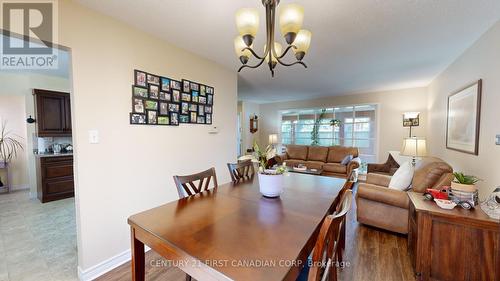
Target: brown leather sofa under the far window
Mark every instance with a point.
(326, 158)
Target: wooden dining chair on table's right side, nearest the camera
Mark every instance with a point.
(322, 265)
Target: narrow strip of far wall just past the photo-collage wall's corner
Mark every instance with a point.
(248, 109)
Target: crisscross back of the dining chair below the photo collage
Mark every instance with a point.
(196, 183)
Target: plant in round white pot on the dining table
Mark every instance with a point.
(270, 180)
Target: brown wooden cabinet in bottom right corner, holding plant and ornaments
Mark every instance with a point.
(452, 244)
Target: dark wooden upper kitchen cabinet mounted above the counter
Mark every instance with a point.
(53, 111)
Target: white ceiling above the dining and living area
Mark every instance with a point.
(357, 45)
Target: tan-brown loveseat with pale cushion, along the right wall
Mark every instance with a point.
(385, 208)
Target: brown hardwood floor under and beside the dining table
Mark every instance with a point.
(371, 254)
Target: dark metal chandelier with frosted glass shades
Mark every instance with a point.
(291, 17)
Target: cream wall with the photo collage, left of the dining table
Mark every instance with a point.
(131, 168)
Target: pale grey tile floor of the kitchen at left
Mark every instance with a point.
(37, 241)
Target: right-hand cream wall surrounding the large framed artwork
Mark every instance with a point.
(480, 61)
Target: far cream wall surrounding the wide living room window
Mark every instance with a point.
(392, 105)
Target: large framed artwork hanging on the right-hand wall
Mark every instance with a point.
(463, 119)
